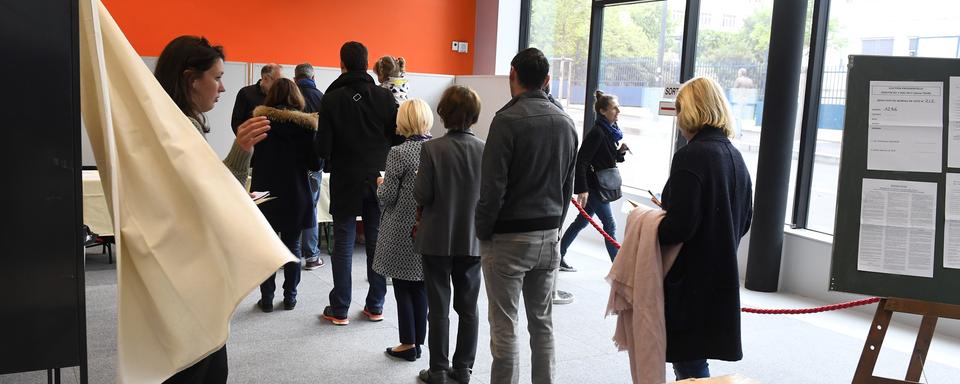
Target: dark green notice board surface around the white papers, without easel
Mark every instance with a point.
(944, 286)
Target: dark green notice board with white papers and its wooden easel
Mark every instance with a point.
(898, 200)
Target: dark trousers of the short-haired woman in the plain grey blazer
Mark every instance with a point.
(438, 273)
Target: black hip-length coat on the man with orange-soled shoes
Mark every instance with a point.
(358, 121)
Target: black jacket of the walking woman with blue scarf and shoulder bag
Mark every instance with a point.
(597, 152)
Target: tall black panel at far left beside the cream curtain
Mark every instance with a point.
(42, 316)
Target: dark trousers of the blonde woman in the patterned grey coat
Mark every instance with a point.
(411, 311)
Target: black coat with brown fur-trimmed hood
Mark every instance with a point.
(280, 164)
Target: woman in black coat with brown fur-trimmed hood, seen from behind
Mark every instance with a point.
(280, 165)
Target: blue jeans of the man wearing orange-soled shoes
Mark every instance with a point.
(344, 235)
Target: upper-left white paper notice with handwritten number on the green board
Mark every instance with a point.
(906, 126)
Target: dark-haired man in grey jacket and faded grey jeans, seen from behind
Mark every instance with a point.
(526, 183)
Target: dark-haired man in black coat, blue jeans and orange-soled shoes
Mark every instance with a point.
(357, 127)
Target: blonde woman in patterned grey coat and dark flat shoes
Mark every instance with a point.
(395, 256)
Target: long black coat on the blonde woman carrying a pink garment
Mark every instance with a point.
(708, 200)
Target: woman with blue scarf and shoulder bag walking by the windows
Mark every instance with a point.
(600, 150)
